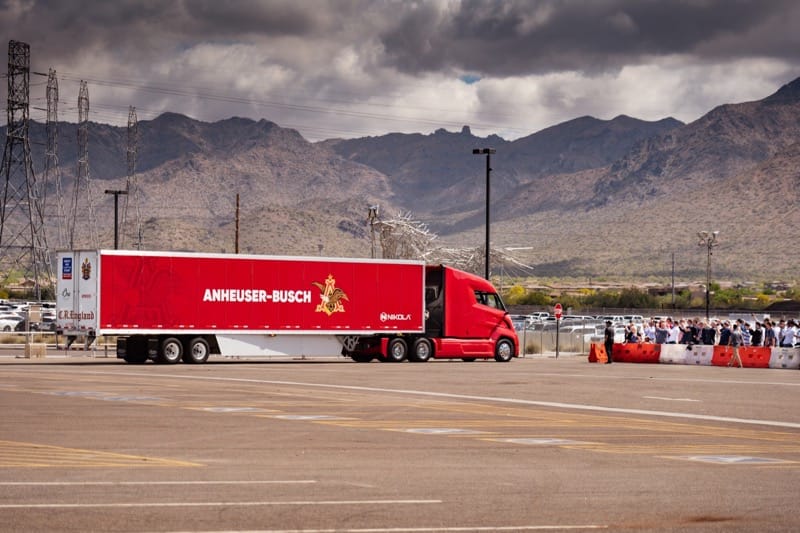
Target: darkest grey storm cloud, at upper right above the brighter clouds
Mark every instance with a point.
(508, 38)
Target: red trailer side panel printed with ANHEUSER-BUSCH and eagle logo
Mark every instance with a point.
(217, 292)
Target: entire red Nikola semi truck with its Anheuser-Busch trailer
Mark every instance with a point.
(175, 306)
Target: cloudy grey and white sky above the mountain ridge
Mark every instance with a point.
(352, 68)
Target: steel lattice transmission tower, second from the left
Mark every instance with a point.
(52, 172)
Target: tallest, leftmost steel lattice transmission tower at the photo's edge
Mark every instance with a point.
(23, 246)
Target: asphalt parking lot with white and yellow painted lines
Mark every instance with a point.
(93, 444)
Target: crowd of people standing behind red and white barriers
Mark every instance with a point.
(769, 333)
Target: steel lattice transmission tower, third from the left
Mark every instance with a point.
(83, 182)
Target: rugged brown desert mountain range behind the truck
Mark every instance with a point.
(588, 198)
